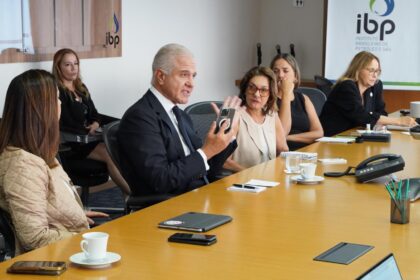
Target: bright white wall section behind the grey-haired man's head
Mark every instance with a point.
(219, 33)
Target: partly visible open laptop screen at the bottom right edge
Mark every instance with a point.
(386, 269)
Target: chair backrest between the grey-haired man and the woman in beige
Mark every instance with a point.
(202, 115)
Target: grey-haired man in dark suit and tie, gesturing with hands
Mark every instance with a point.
(159, 151)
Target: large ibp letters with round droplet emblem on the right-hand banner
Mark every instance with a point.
(381, 8)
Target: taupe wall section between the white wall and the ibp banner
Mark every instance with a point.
(283, 24)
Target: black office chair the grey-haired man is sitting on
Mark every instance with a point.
(133, 203)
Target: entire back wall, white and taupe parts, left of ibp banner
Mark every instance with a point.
(221, 33)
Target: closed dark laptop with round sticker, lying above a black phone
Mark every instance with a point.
(197, 222)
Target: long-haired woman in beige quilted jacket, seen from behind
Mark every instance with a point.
(34, 189)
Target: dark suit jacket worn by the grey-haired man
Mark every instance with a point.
(151, 153)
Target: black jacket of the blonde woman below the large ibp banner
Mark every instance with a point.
(344, 109)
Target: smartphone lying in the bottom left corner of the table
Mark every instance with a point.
(38, 267)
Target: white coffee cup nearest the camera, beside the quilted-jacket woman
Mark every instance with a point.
(94, 245)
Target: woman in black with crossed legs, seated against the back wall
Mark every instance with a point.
(79, 114)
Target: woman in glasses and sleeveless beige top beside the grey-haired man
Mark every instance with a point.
(260, 136)
